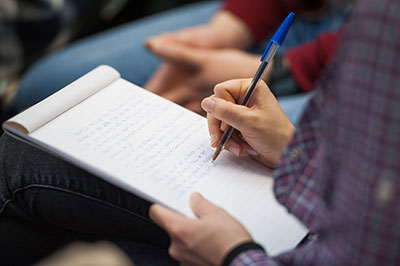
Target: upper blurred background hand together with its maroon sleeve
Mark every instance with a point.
(239, 24)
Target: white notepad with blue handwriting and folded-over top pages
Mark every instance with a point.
(154, 149)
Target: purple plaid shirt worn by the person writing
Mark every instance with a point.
(340, 174)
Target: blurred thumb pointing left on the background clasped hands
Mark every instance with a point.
(175, 51)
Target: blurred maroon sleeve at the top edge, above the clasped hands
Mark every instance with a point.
(264, 16)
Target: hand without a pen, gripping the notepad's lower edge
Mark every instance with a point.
(202, 241)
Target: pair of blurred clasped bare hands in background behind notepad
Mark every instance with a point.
(197, 58)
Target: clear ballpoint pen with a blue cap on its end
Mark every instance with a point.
(267, 57)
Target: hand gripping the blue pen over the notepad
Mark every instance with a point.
(264, 129)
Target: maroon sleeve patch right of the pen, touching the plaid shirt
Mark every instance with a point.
(306, 61)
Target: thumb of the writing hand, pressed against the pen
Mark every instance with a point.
(228, 112)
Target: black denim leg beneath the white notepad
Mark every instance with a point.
(46, 202)
